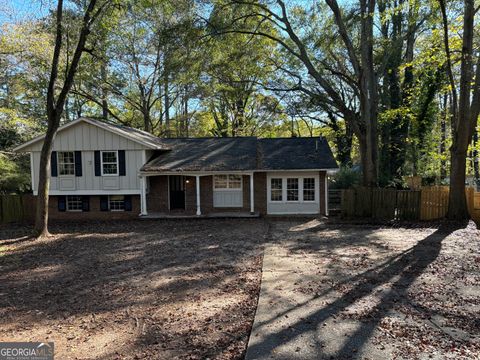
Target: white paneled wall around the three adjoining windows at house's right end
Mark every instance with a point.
(293, 207)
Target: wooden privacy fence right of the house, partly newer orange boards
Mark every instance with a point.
(428, 203)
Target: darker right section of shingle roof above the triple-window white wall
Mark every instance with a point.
(295, 153)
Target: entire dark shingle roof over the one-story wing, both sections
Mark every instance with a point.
(241, 154)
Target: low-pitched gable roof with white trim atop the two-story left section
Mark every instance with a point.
(139, 136)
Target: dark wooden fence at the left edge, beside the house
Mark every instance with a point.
(15, 208)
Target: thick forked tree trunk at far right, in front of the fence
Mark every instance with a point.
(465, 95)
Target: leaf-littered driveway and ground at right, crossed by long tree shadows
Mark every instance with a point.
(343, 291)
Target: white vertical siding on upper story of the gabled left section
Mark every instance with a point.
(88, 138)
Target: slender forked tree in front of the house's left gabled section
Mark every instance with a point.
(57, 92)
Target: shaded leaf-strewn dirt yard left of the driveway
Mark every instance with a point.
(133, 290)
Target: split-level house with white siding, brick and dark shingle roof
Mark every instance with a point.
(99, 169)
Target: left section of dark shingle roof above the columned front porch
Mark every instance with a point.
(206, 154)
